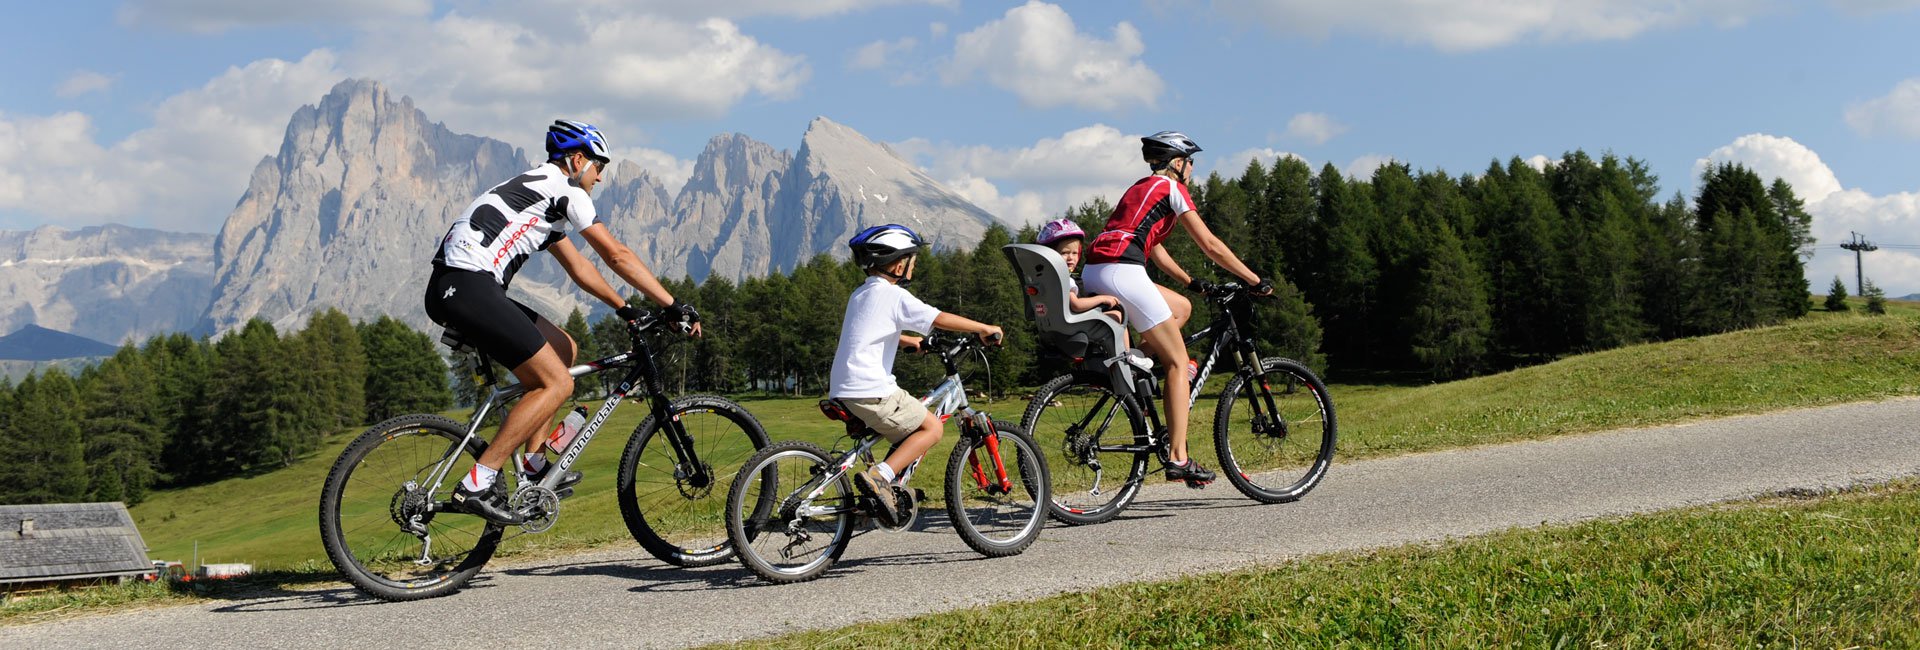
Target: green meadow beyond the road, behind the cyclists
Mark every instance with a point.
(272, 521)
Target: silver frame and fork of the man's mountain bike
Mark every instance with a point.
(640, 373)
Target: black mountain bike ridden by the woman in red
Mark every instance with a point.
(1274, 429)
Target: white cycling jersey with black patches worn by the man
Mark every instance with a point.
(516, 220)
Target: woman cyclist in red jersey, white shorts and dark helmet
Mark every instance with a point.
(1116, 266)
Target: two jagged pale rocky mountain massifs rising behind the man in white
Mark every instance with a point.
(350, 210)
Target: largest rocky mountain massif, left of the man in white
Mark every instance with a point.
(348, 212)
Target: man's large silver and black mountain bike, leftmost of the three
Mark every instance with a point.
(389, 528)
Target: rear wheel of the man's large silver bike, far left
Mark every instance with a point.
(377, 492)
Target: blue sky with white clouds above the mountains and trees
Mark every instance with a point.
(155, 112)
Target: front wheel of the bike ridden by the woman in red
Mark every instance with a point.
(1276, 430)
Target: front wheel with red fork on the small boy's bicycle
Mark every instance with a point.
(997, 492)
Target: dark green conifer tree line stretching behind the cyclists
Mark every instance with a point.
(1418, 275)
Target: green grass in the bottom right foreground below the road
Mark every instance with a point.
(1831, 572)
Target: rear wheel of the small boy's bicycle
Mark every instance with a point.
(777, 530)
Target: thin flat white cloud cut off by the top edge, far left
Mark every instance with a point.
(218, 16)
